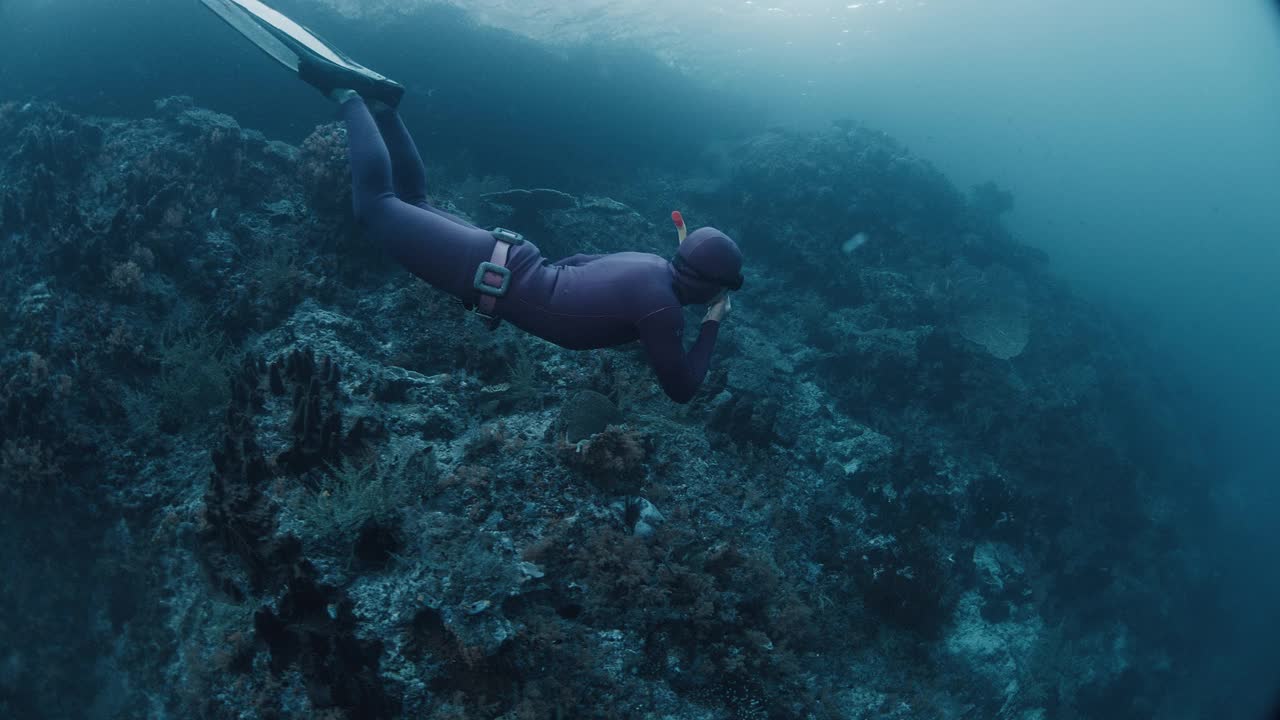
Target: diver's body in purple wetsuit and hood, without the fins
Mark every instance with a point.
(584, 302)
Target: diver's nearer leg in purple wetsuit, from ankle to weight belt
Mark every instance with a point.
(433, 248)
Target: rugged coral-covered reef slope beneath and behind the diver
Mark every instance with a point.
(252, 470)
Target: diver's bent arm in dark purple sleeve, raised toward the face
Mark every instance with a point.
(679, 373)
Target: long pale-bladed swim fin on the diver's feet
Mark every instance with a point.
(303, 52)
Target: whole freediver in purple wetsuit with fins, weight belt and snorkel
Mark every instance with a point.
(580, 303)
